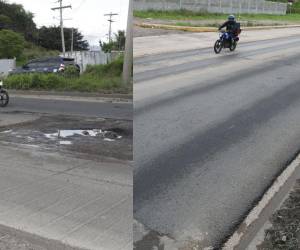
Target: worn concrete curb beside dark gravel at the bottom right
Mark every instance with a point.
(237, 238)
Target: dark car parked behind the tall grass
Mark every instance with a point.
(46, 65)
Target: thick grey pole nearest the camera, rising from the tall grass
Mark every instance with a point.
(128, 57)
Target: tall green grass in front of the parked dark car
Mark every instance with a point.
(99, 78)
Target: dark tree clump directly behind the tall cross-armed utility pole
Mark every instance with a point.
(50, 38)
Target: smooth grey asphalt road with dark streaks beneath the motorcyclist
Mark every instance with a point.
(211, 134)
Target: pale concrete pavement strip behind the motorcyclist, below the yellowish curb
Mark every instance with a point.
(191, 41)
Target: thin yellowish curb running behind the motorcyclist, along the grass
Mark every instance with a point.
(207, 29)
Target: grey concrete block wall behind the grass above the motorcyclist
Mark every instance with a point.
(215, 6)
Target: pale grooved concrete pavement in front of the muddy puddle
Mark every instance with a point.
(82, 203)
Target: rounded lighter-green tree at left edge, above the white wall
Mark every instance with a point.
(11, 44)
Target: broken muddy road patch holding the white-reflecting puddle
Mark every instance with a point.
(85, 137)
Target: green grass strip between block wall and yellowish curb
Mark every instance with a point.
(190, 15)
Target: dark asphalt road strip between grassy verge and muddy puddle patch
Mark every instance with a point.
(72, 107)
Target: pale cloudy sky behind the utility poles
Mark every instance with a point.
(86, 15)
